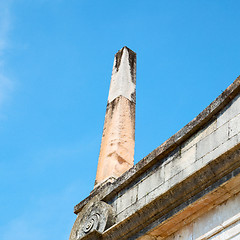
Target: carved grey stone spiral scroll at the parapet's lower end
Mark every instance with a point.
(95, 217)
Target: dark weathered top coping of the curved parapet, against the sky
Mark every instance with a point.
(107, 190)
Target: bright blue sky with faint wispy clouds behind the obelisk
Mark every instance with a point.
(56, 59)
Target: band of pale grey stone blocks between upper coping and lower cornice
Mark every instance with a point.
(220, 135)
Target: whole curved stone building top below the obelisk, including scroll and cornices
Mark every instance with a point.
(187, 188)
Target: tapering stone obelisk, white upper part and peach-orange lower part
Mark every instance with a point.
(118, 139)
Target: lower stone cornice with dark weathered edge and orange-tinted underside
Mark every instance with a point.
(211, 185)
